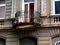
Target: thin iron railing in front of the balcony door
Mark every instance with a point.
(22, 17)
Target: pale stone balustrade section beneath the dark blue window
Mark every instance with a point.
(51, 22)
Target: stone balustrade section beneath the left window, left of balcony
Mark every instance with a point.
(6, 23)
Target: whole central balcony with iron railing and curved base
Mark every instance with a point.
(26, 22)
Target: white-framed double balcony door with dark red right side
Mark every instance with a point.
(29, 11)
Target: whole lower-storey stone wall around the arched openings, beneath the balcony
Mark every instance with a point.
(45, 36)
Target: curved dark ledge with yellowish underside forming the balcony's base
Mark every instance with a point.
(26, 26)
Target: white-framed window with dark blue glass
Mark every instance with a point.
(55, 6)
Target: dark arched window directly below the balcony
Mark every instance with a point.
(28, 41)
